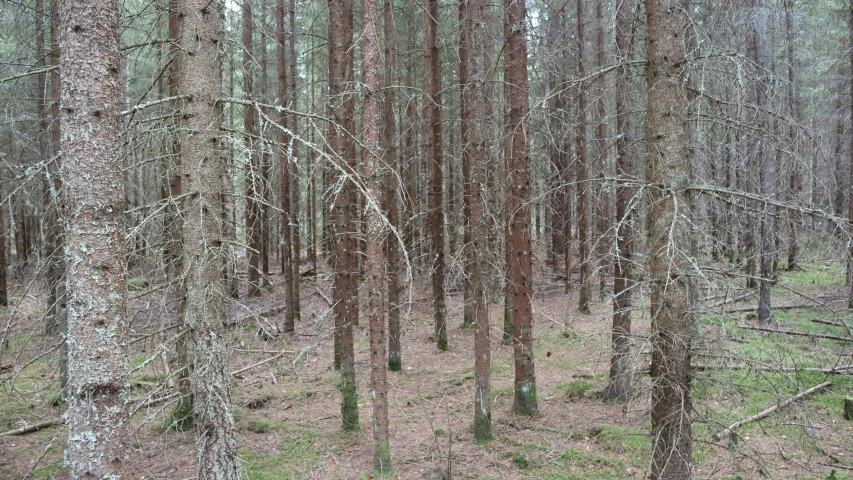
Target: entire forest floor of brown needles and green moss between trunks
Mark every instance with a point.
(288, 415)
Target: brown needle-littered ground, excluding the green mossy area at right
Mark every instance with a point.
(430, 408)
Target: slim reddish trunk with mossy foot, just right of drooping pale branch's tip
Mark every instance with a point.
(432, 88)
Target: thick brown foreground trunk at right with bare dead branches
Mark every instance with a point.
(669, 238)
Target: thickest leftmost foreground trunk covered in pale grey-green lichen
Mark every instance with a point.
(94, 201)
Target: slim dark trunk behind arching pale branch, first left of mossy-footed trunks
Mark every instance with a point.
(284, 160)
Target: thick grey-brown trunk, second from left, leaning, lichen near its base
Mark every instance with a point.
(203, 168)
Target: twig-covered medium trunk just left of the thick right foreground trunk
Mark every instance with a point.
(619, 385)
